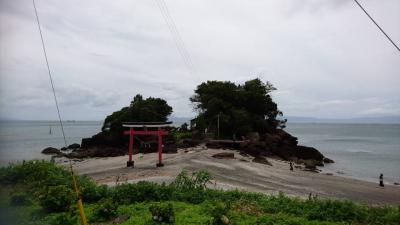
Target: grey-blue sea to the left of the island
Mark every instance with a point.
(24, 140)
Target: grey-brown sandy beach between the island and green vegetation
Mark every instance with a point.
(240, 173)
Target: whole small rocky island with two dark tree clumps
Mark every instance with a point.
(240, 117)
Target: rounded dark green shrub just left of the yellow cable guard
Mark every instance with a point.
(57, 199)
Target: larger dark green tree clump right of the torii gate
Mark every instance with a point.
(240, 108)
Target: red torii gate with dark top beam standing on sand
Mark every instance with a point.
(159, 133)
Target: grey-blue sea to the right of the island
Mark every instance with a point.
(361, 151)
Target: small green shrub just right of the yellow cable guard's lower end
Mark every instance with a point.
(105, 210)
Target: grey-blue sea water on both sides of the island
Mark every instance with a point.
(360, 151)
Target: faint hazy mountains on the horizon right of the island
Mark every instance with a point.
(374, 120)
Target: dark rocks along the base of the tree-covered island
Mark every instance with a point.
(279, 145)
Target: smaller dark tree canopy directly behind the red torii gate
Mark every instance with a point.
(140, 110)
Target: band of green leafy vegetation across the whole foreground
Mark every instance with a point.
(39, 192)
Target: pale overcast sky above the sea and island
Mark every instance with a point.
(325, 57)
